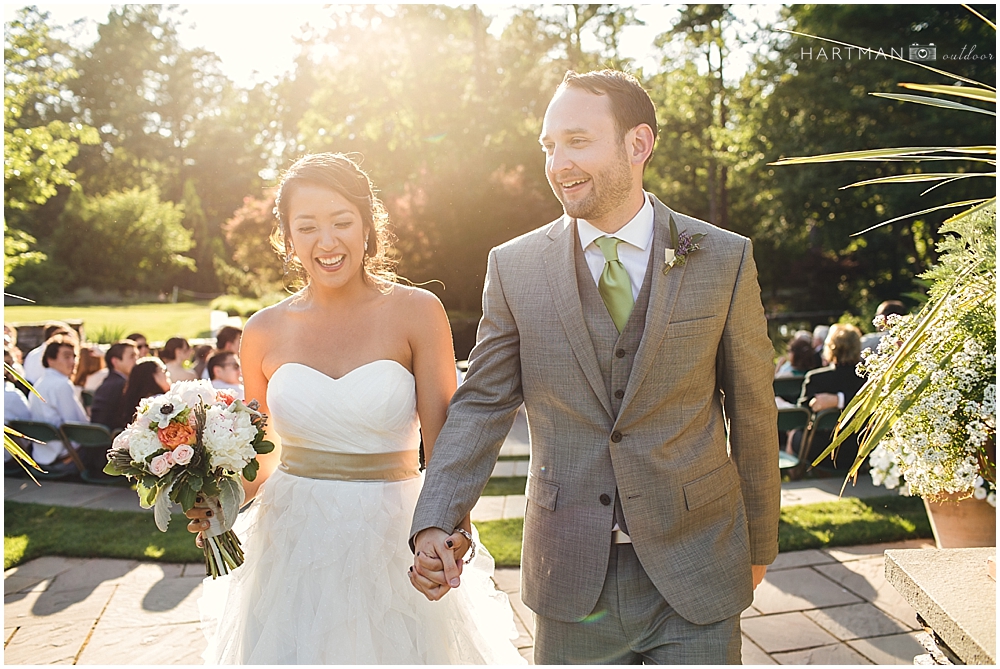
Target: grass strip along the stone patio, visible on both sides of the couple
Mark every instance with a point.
(32, 530)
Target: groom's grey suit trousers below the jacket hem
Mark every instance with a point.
(633, 624)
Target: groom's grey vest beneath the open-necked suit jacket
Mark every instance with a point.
(615, 352)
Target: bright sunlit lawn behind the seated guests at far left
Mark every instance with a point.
(157, 321)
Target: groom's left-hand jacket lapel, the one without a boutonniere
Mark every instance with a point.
(560, 269)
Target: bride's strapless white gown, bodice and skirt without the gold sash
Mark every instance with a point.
(325, 578)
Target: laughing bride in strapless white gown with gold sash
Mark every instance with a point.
(348, 369)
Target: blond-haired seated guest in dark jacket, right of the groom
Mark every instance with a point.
(834, 386)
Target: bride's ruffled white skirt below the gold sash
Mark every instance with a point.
(325, 582)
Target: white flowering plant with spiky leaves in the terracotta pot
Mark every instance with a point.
(927, 415)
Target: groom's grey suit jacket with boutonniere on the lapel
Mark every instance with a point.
(699, 512)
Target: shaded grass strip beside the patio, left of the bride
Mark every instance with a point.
(34, 530)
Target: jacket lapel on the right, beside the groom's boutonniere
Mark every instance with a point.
(663, 294)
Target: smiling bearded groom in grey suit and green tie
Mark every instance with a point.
(636, 339)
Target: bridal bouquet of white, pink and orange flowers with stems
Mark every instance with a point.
(193, 440)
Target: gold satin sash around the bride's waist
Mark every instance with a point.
(314, 464)
